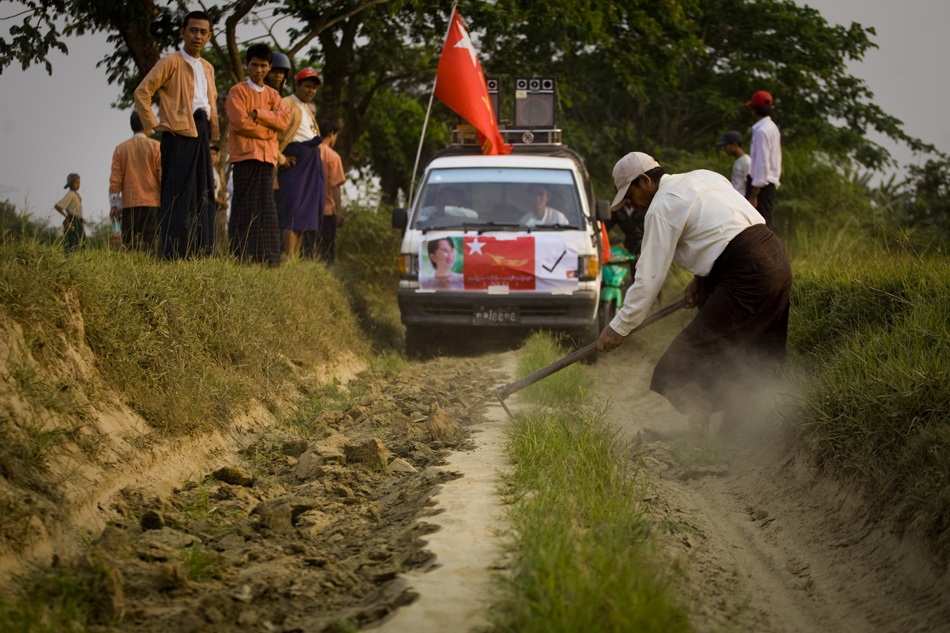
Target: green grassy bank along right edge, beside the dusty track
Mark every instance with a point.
(872, 347)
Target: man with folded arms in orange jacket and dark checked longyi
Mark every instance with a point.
(257, 114)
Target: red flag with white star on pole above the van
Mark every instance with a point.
(460, 84)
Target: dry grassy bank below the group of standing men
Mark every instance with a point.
(185, 343)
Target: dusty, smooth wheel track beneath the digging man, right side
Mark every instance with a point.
(765, 542)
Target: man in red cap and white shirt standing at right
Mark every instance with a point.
(766, 154)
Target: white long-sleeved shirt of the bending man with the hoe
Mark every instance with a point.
(691, 220)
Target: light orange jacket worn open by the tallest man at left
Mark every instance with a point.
(173, 79)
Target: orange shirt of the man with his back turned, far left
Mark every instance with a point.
(137, 172)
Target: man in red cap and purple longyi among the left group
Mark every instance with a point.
(301, 178)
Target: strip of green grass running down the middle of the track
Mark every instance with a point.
(583, 553)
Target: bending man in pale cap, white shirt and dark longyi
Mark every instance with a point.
(741, 285)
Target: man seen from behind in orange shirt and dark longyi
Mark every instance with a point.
(135, 187)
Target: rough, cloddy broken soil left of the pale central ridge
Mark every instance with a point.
(277, 530)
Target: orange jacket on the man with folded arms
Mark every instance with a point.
(250, 139)
